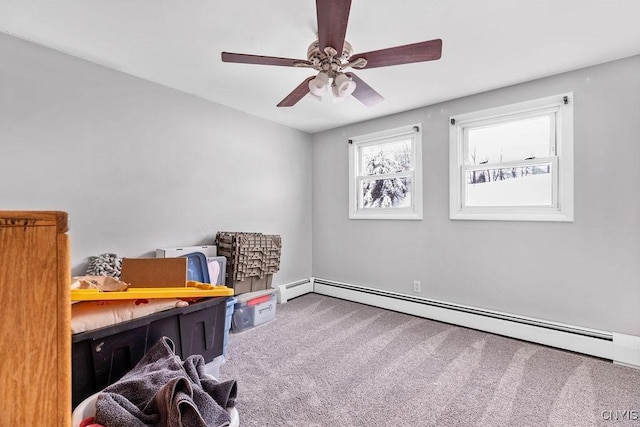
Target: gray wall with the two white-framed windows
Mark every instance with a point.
(584, 273)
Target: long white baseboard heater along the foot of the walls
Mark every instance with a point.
(620, 348)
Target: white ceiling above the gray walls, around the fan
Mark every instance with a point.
(486, 44)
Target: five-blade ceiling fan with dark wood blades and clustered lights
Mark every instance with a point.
(331, 55)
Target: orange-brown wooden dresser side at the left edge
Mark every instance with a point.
(35, 332)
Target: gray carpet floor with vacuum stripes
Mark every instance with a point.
(329, 362)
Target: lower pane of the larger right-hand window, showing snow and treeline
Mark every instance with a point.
(515, 186)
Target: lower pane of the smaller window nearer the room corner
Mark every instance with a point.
(386, 193)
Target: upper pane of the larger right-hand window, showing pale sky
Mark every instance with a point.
(515, 140)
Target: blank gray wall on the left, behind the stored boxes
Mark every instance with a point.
(139, 166)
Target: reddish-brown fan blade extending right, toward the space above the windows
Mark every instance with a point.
(416, 52)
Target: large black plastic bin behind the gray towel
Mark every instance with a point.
(102, 356)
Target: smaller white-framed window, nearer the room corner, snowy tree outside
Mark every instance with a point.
(385, 175)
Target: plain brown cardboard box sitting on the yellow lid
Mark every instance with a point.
(154, 272)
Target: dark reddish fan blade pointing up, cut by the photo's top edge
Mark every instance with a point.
(333, 16)
